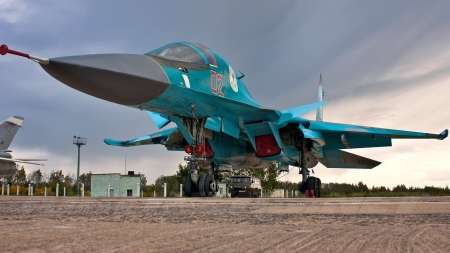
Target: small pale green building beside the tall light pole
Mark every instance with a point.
(116, 184)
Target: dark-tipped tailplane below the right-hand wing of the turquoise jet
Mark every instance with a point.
(342, 159)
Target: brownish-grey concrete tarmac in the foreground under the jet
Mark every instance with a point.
(75, 224)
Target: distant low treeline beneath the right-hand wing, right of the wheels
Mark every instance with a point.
(361, 190)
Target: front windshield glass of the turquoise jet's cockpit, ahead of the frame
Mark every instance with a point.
(180, 52)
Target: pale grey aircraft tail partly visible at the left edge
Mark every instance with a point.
(8, 129)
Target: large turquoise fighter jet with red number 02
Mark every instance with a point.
(218, 123)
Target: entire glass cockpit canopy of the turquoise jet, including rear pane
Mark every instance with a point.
(186, 52)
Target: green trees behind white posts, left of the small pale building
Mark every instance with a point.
(39, 180)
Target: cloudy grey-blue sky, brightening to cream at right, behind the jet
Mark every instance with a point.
(384, 64)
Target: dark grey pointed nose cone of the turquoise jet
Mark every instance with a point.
(125, 79)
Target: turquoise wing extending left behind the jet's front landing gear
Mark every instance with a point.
(156, 138)
